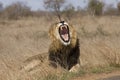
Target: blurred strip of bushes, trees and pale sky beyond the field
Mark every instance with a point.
(14, 9)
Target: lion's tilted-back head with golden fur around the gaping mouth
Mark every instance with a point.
(63, 33)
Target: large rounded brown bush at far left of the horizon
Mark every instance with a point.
(16, 11)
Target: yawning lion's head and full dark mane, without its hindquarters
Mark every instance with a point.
(64, 49)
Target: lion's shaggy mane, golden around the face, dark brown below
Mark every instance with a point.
(63, 54)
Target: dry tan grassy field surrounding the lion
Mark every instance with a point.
(22, 40)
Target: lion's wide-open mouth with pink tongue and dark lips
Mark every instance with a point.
(64, 33)
